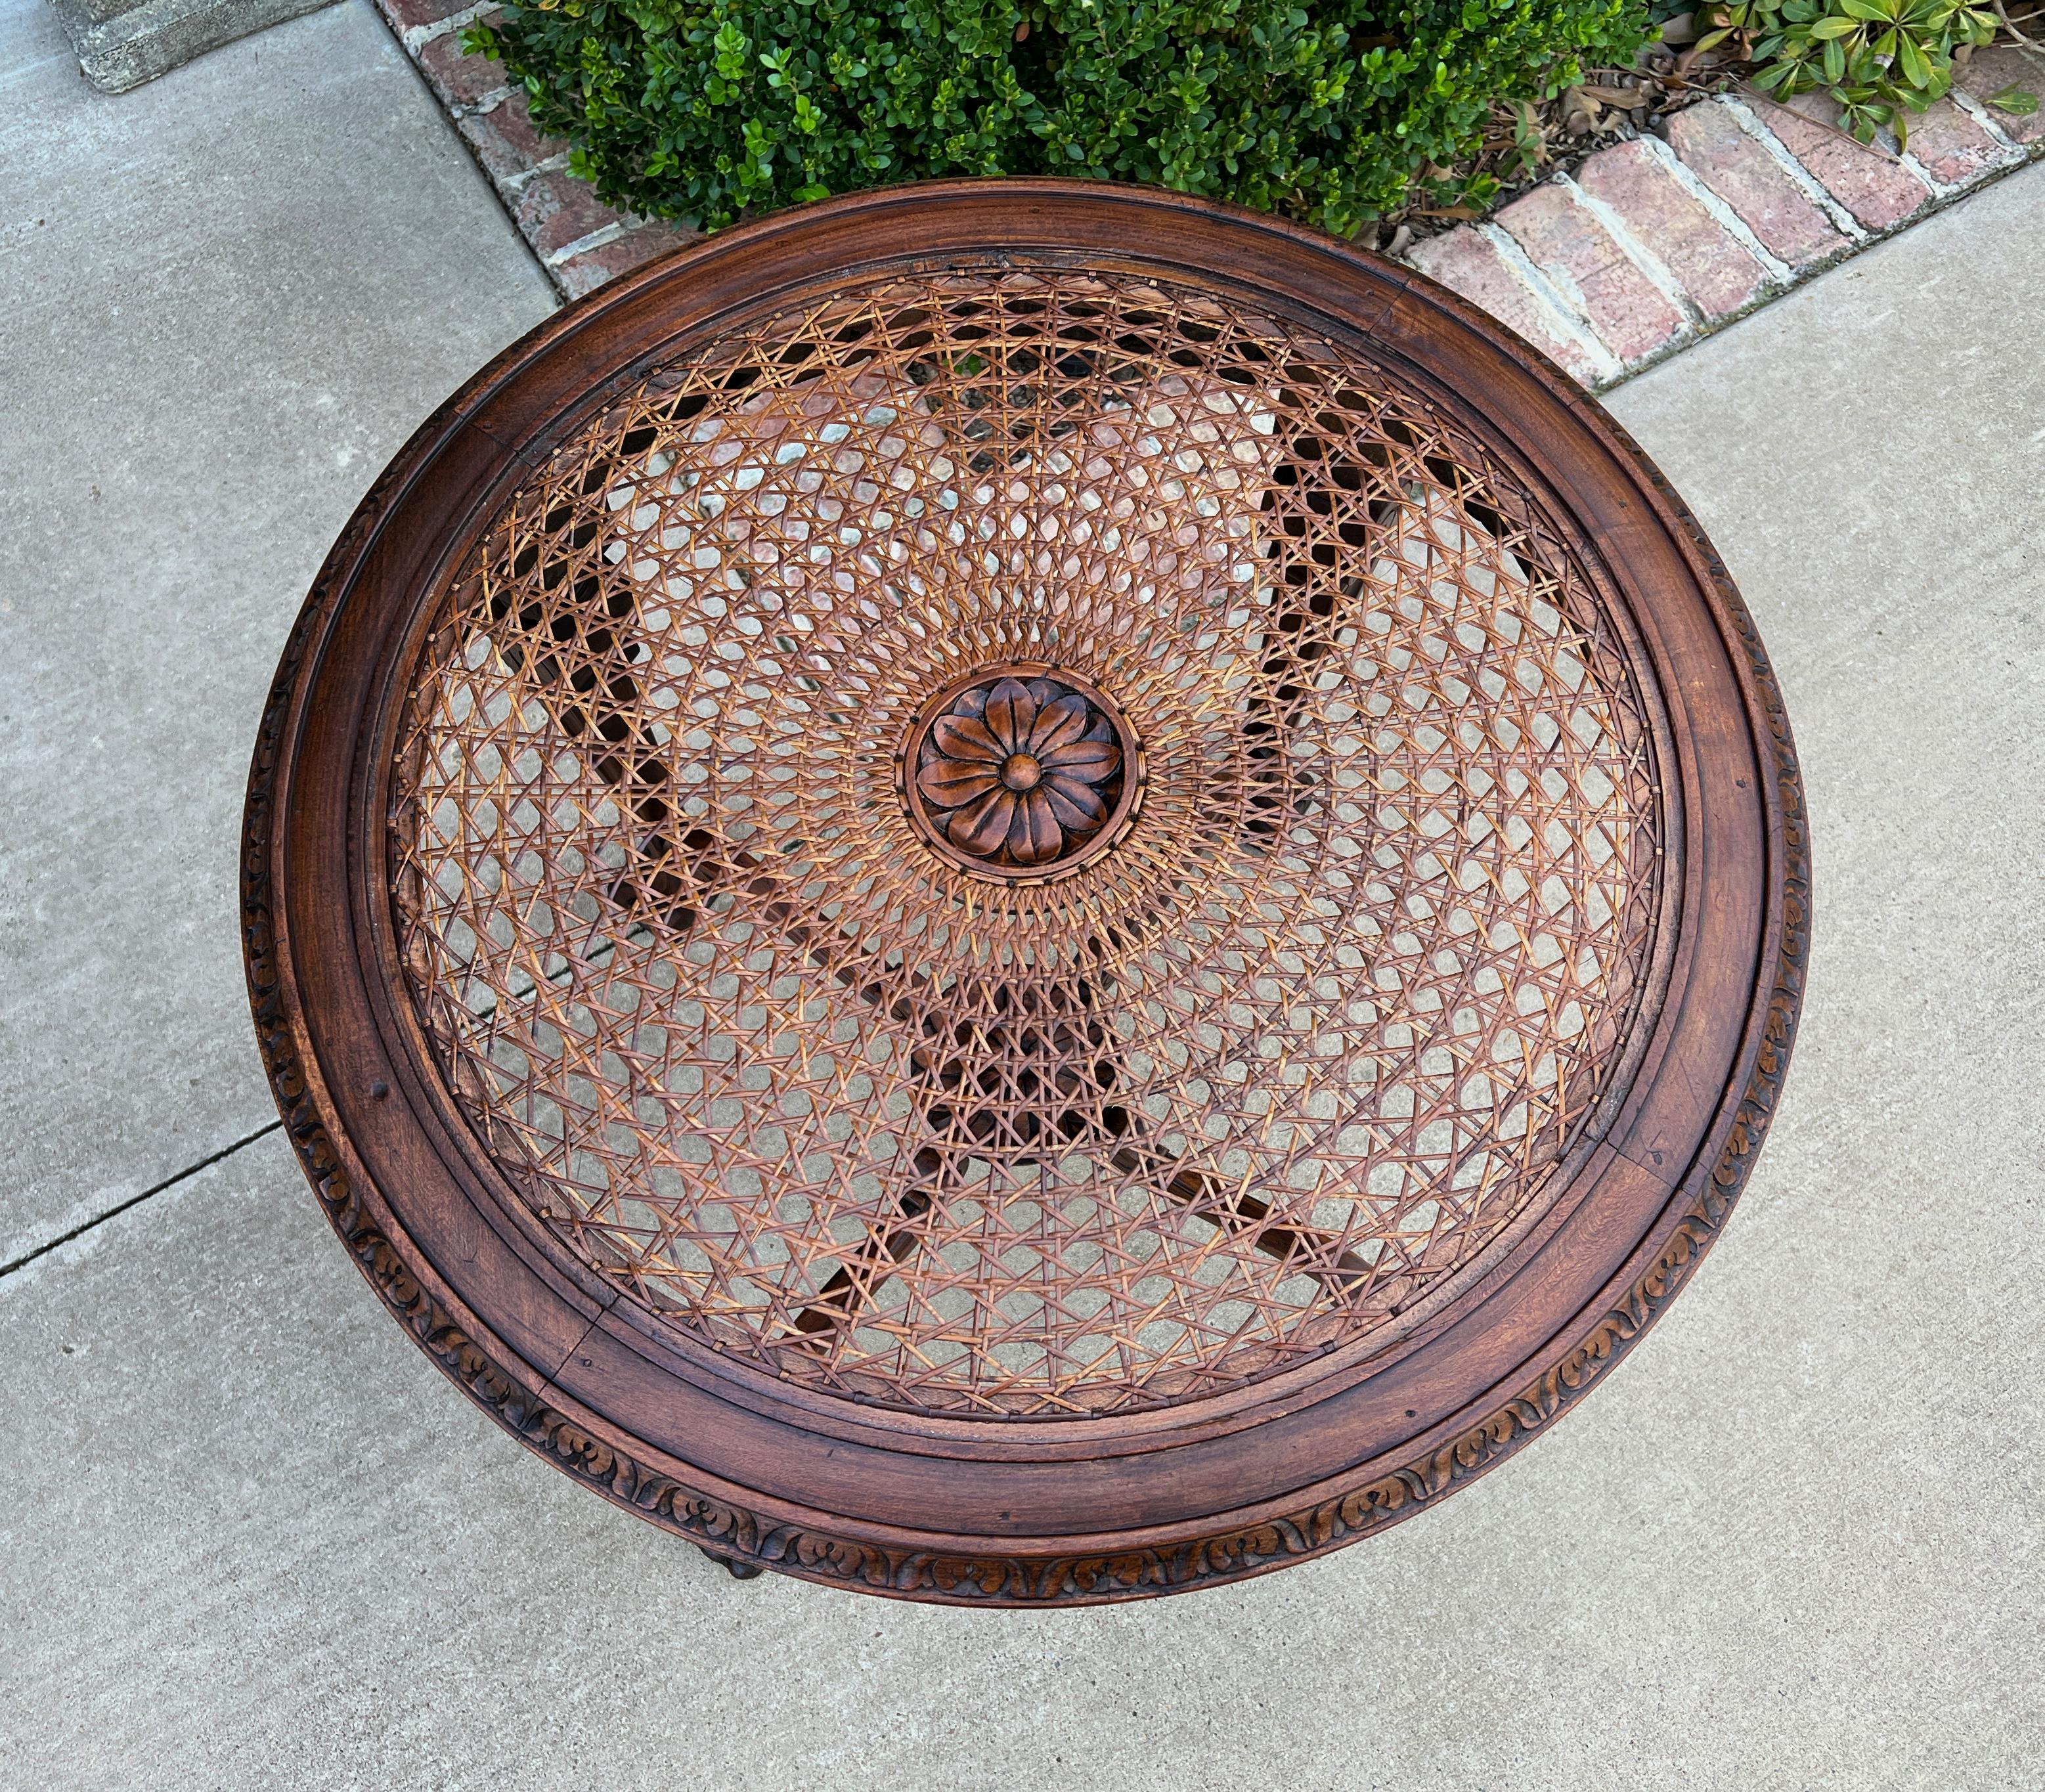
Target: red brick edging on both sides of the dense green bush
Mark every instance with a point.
(1645, 249)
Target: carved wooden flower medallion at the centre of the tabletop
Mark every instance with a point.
(1021, 772)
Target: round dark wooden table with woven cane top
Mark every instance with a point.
(1024, 893)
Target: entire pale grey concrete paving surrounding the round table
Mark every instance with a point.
(251, 1535)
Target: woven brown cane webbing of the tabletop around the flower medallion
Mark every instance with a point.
(1271, 1077)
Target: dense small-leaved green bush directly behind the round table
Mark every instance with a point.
(717, 109)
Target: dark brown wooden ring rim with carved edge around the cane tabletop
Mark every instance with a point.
(809, 1480)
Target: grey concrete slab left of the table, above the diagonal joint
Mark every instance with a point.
(232, 296)
